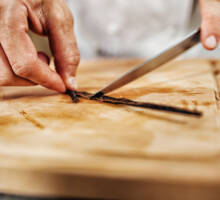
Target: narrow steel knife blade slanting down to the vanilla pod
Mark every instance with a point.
(152, 64)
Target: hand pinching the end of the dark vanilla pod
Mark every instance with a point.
(20, 63)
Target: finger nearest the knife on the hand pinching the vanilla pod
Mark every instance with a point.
(63, 45)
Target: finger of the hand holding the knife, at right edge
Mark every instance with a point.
(210, 11)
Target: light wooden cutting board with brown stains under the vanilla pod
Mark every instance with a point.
(52, 147)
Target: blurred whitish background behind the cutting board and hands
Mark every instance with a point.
(126, 28)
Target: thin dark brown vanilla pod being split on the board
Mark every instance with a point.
(122, 101)
